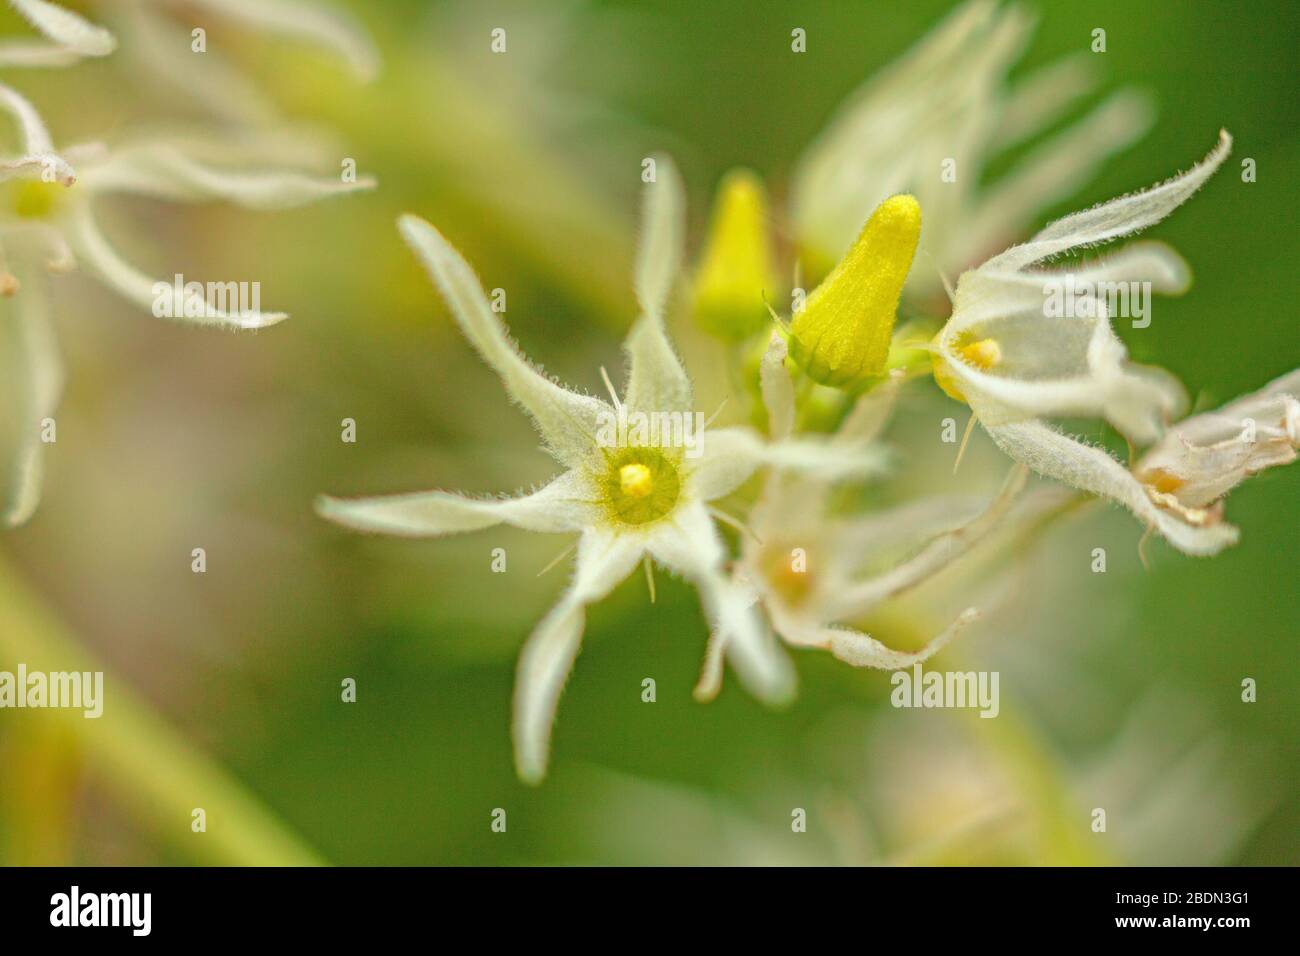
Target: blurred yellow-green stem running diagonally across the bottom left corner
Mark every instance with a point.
(149, 767)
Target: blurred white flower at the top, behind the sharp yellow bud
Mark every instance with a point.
(930, 123)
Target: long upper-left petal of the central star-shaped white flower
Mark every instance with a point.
(567, 421)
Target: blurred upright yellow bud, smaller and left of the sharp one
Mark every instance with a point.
(736, 265)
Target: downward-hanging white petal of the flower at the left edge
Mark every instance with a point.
(38, 382)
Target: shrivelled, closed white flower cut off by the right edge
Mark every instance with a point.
(1203, 458)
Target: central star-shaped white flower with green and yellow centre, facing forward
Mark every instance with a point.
(630, 504)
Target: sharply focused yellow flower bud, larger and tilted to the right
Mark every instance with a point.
(842, 336)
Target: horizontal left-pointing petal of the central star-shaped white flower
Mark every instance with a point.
(565, 505)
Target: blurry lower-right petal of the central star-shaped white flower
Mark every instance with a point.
(691, 547)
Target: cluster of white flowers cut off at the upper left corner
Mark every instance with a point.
(49, 196)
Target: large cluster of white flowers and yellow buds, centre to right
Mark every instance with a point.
(827, 377)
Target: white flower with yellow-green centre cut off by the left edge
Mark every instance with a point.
(49, 220)
